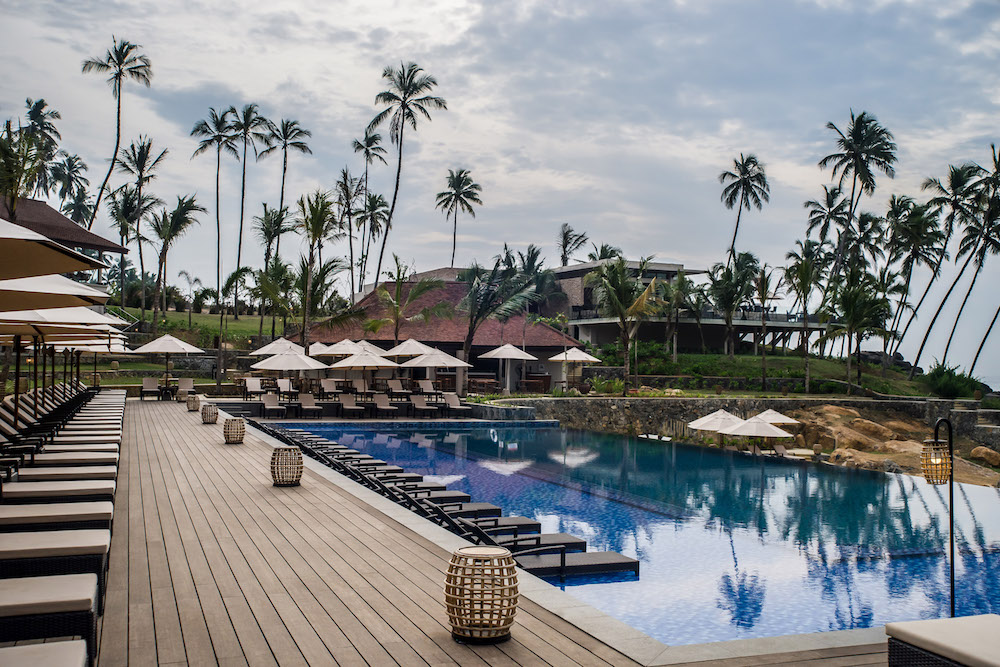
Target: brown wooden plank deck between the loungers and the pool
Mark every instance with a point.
(212, 564)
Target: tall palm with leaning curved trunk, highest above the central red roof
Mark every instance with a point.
(407, 97)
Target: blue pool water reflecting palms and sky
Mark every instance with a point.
(730, 547)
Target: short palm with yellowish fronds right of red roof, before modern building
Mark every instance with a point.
(621, 295)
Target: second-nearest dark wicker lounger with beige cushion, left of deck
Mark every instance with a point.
(50, 606)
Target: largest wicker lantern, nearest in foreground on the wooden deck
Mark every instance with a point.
(480, 594)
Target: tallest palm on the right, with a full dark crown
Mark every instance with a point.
(866, 147)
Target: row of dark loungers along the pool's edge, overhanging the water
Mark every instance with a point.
(481, 523)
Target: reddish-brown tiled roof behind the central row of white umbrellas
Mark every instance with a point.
(439, 331)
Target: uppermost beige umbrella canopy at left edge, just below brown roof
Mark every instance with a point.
(27, 253)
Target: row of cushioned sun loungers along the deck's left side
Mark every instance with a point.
(59, 449)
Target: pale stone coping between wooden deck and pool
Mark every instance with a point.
(617, 634)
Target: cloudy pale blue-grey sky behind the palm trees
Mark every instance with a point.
(614, 117)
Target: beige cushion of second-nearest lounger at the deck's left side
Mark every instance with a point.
(57, 594)
